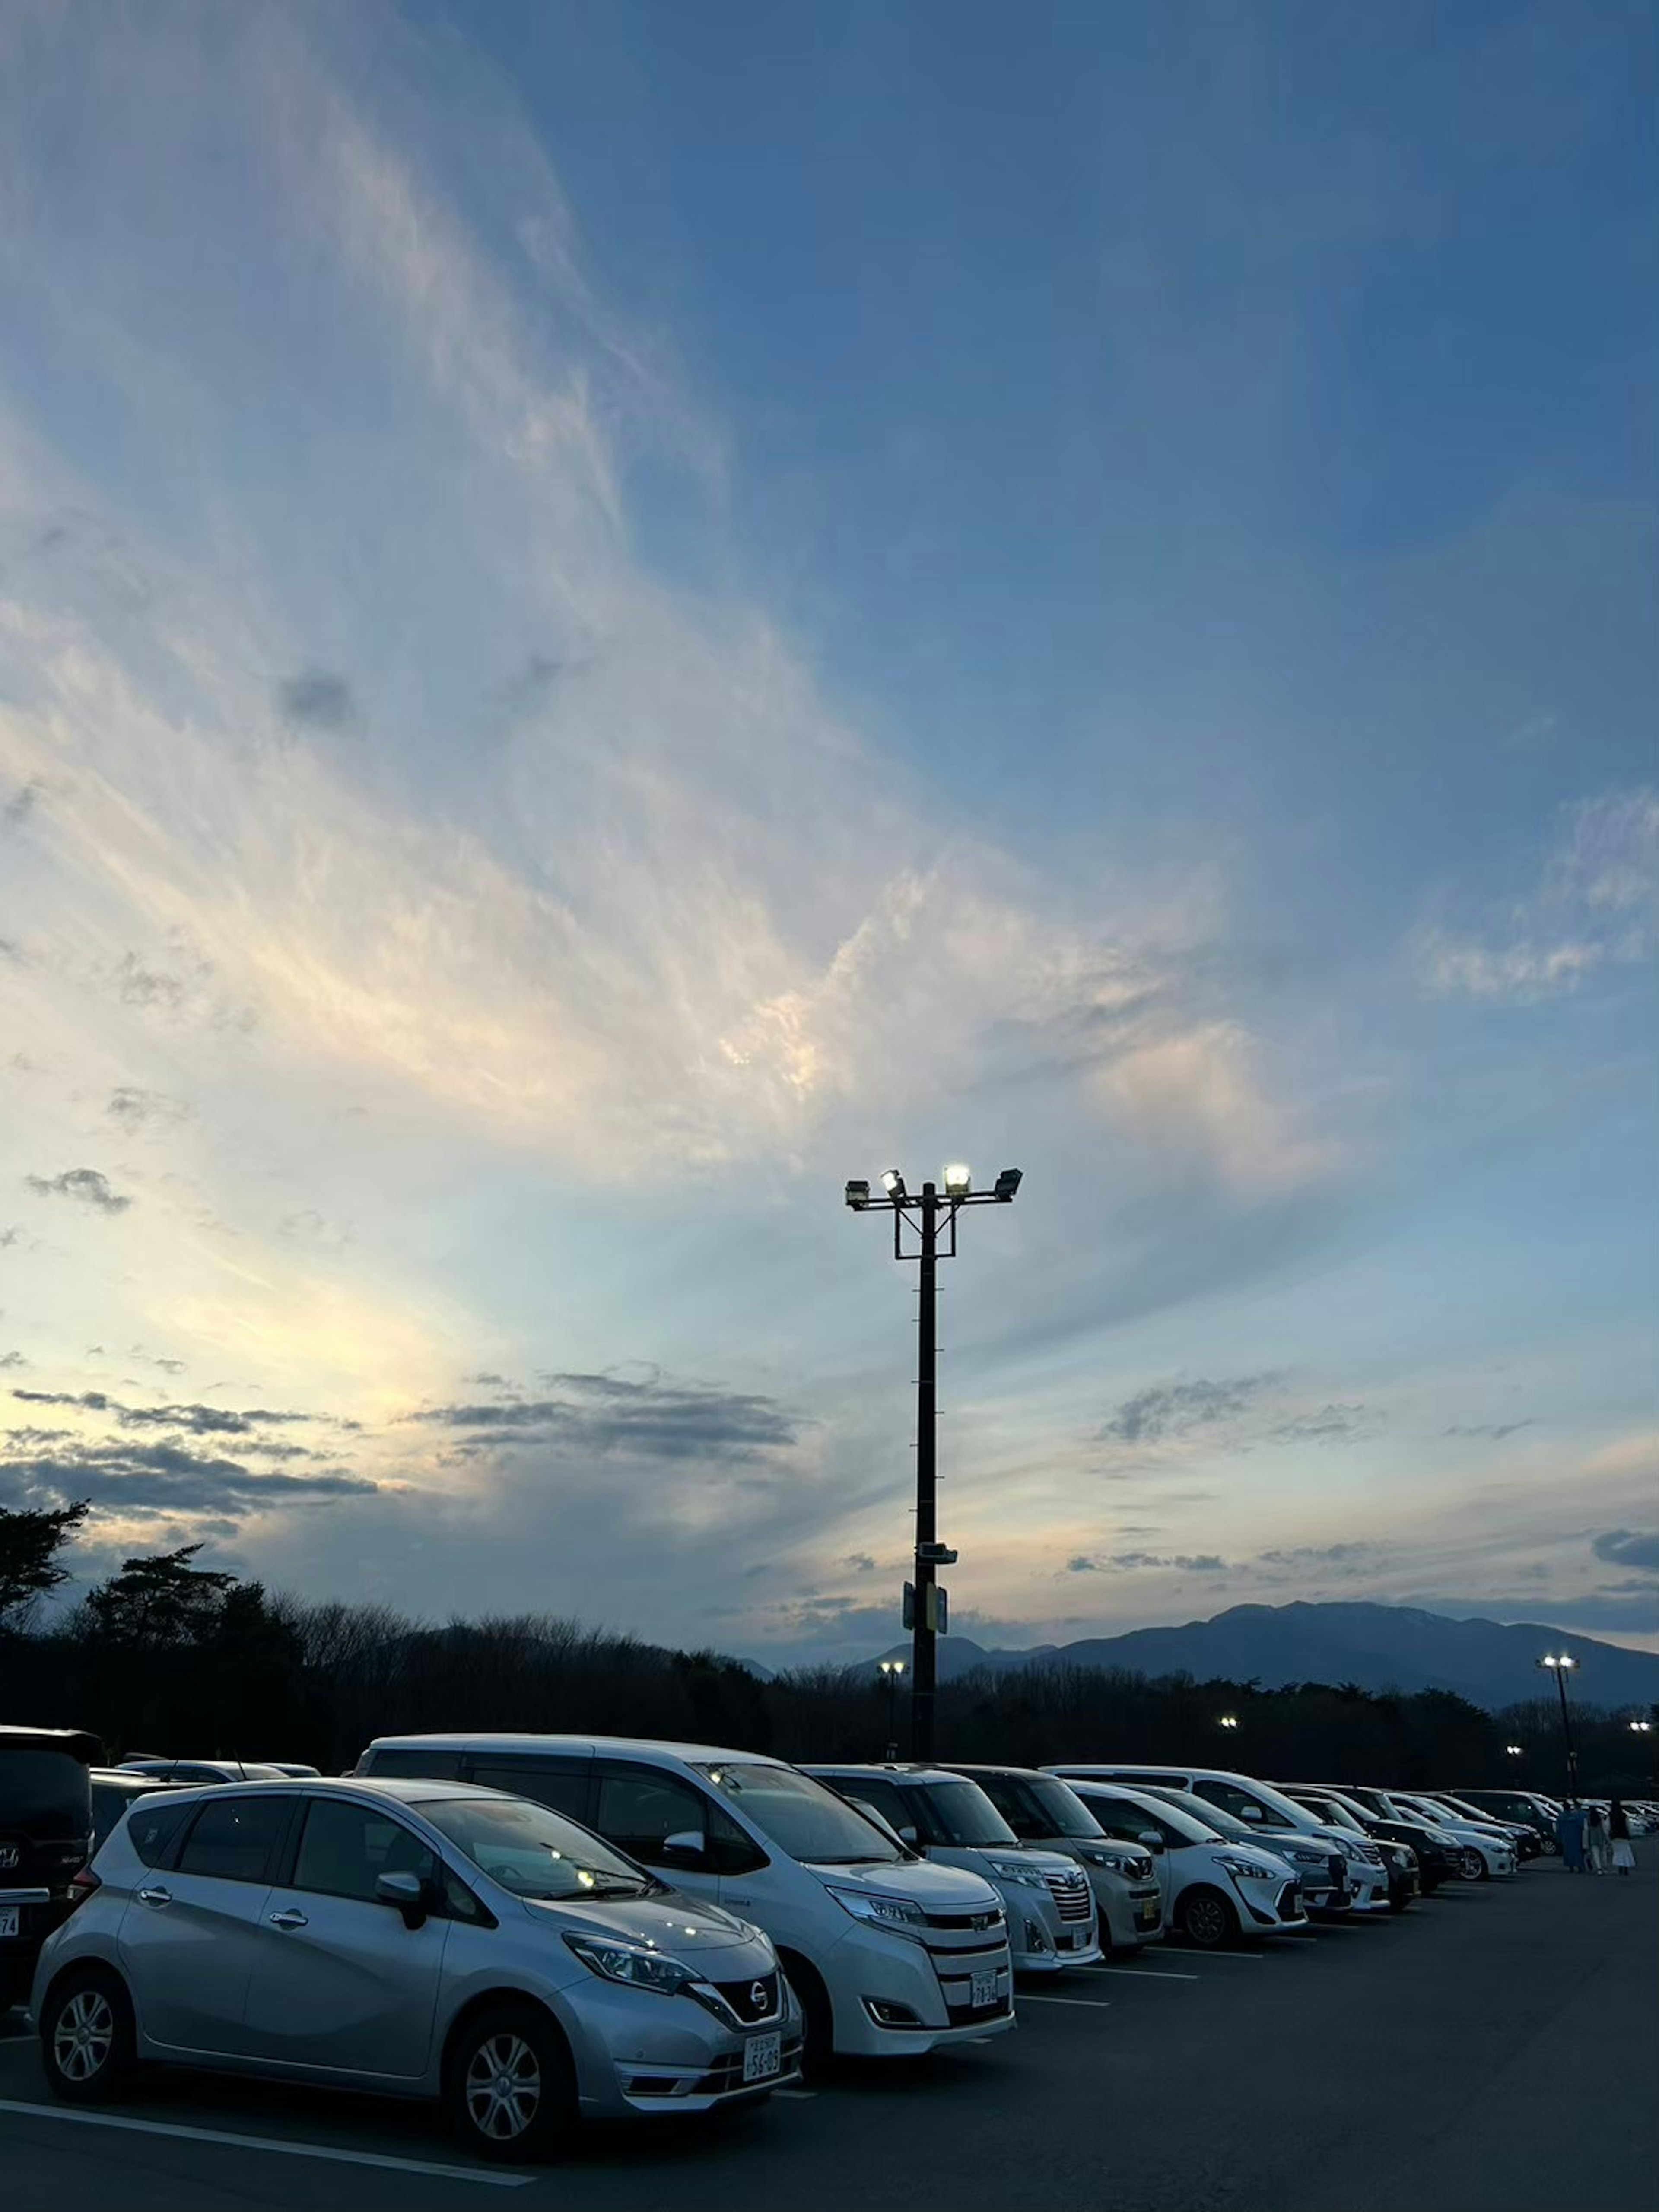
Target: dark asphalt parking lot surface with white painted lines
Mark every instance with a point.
(1492, 2049)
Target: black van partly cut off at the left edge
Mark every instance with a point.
(45, 1841)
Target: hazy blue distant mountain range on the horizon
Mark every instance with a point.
(1377, 1647)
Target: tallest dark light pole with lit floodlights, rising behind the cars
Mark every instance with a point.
(926, 1218)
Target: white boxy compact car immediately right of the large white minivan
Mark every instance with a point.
(954, 1824)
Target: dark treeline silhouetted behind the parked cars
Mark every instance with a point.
(180, 1662)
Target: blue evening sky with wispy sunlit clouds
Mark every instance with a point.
(612, 616)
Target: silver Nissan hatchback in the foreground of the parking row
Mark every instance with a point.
(417, 1939)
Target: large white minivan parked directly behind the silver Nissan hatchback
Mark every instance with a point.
(888, 1954)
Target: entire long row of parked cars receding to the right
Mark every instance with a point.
(545, 1928)
